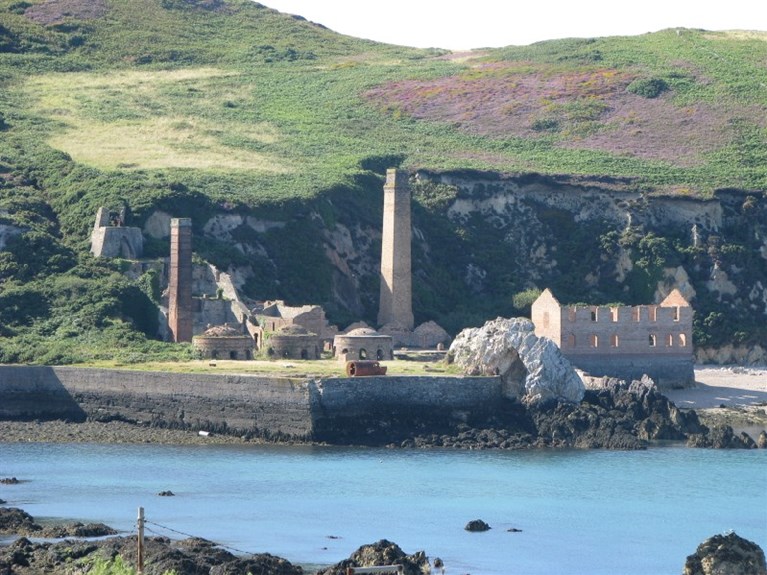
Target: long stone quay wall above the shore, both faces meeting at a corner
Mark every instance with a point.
(229, 403)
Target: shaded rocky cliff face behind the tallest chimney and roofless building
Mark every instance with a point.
(483, 239)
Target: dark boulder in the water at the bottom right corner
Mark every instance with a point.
(726, 555)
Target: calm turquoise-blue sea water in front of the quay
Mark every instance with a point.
(579, 512)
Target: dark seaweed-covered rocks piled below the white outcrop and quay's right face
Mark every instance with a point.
(615, 416)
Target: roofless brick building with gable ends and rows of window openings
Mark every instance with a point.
(626, 342)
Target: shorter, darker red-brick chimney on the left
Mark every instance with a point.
(180, 318)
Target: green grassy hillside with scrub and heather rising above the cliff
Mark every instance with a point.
(198, 106)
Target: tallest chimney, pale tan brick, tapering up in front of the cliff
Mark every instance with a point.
(396, 306)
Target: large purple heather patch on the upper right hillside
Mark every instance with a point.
(584, 109)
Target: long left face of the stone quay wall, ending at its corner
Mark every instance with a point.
(221, 403)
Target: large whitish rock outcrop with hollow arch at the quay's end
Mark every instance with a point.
(532, 368)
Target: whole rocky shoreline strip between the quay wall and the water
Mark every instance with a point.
(618, 416)
